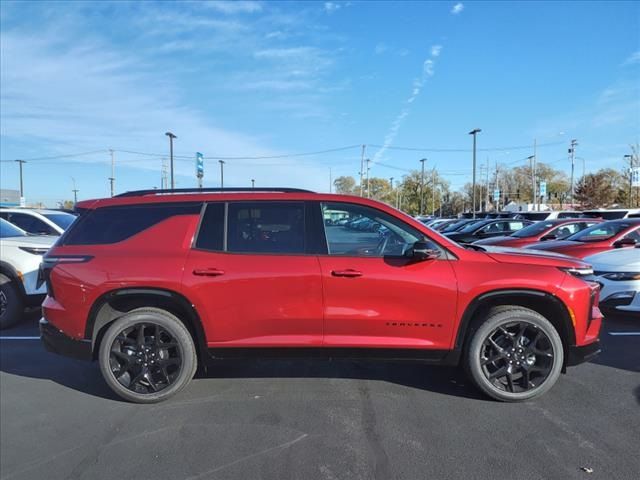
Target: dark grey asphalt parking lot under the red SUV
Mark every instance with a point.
(317, 420)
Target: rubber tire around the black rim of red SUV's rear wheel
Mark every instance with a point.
(172, 325)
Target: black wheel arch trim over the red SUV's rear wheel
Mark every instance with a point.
(115, 303)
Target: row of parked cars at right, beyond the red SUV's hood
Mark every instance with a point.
(605, 244)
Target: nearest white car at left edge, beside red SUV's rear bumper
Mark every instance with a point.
(20, 257)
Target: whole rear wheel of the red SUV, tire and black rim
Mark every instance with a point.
(147, 355)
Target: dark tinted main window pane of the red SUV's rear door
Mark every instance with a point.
(266, 227)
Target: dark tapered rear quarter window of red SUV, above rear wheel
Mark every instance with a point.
(115, 224)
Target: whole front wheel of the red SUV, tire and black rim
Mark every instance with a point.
(516, 354)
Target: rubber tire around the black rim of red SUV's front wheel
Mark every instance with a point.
(502, 317)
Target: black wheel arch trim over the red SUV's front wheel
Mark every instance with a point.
(546, 304)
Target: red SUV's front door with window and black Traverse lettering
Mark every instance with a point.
(374, 296)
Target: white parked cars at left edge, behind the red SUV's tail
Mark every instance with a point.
(25, 236)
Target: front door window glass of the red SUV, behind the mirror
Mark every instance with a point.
(366, 232)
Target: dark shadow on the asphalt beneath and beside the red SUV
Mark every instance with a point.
(29, 359)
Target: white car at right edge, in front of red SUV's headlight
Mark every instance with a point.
(618, 273)
